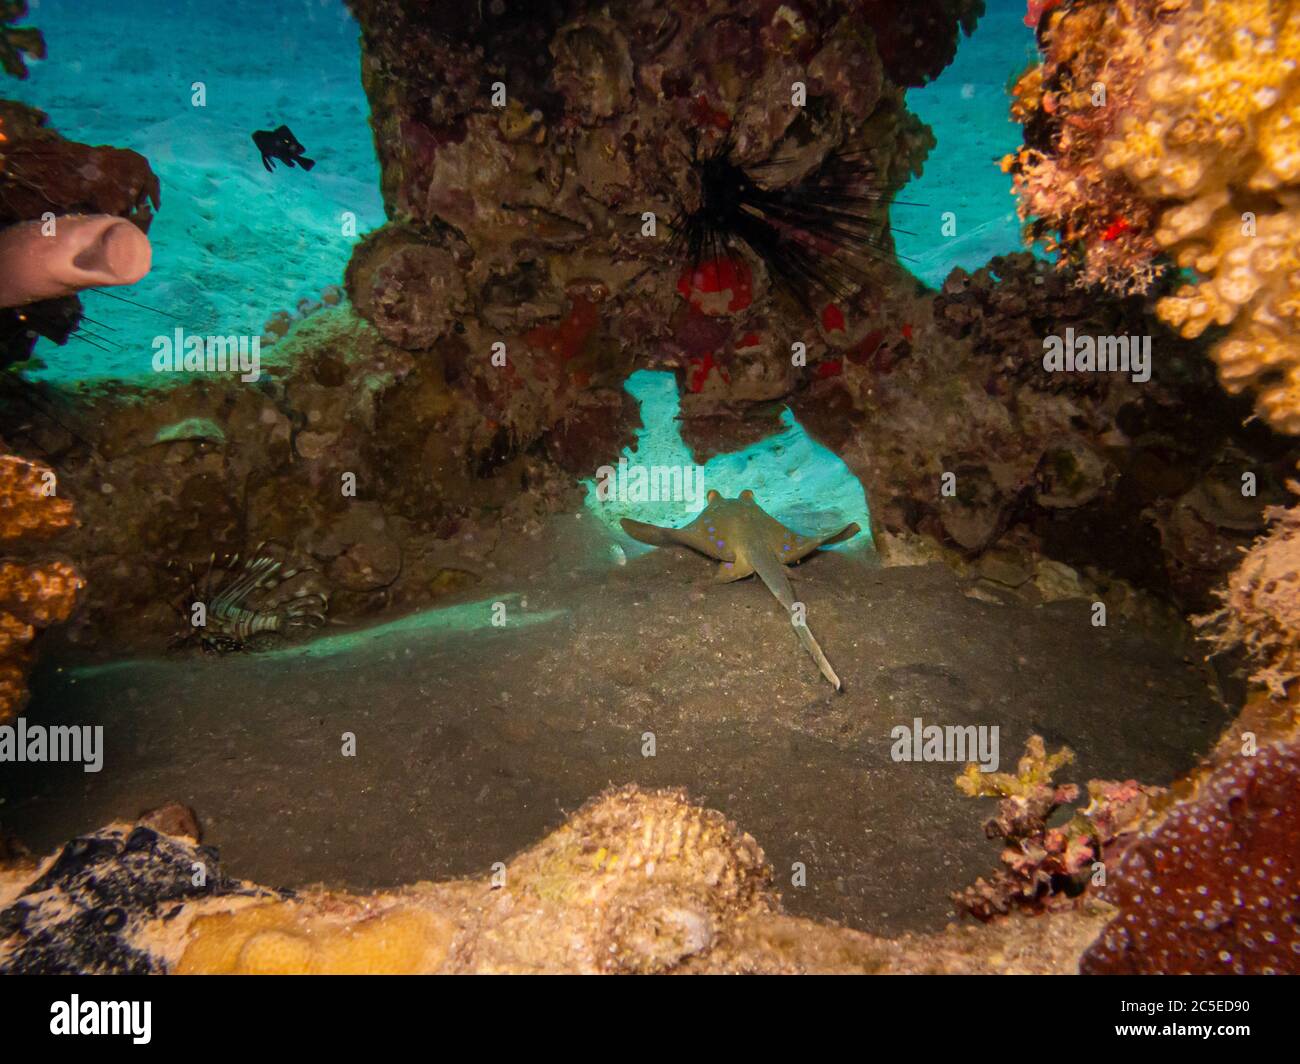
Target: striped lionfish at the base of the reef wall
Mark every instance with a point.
(246, 604)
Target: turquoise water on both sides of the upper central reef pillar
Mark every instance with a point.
(235, 245)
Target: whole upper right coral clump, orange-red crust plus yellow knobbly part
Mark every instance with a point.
(1169, 131)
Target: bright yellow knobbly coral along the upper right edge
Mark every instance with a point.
(1217, 129)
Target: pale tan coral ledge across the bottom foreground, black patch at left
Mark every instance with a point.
(635, 881)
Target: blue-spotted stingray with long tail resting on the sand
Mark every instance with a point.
(747, 540)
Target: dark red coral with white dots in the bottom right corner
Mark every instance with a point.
(1215, 889)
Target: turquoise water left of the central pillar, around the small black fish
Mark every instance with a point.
(232, 244)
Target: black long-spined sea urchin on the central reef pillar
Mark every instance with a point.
(814, 236)
